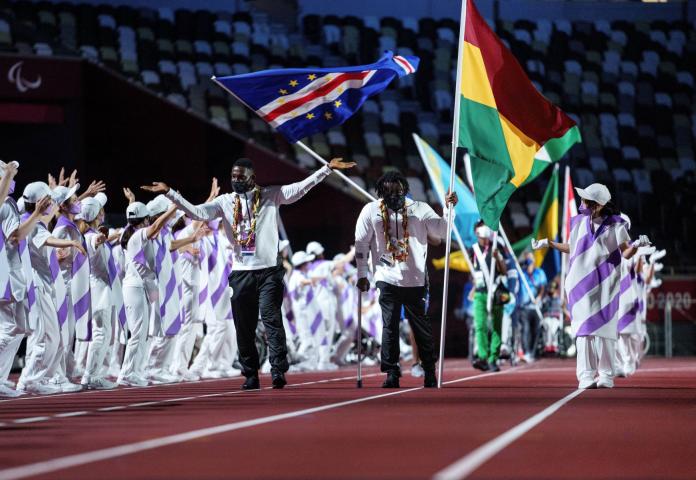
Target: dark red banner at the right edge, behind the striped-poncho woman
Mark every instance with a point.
(680, 292)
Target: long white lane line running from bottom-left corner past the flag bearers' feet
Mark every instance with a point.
(69, 461)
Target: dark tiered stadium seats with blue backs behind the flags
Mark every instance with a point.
(630, 86)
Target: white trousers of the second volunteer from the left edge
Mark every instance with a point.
(43, 359)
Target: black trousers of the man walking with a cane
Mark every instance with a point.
(391, 299)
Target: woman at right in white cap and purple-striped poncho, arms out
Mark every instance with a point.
(598, 242)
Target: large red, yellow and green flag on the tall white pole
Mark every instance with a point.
(511, 131)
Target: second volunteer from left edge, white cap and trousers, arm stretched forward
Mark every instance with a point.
(41, 373)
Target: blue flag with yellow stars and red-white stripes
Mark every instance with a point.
(302, 101)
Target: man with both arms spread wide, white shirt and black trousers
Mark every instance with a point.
(249, 217)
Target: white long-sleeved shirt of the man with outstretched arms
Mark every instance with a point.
(266, 253)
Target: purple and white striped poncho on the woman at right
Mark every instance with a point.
(594, 275)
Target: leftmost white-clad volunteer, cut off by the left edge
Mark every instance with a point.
(14, 284)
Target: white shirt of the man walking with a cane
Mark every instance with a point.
(369, 238)
